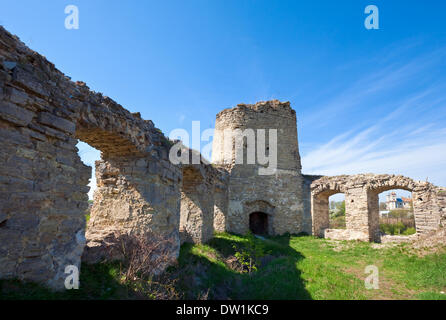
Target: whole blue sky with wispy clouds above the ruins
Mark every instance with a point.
(366, 100)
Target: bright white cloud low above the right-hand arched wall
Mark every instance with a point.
(399, 151)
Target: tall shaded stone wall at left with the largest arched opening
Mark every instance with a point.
(43, 183)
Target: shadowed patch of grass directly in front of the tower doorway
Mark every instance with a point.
(205, 271)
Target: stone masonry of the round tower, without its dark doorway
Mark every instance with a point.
(281, 192)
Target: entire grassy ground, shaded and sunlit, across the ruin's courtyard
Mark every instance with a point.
(294, 268)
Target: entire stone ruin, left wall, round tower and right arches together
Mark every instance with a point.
(44, 184)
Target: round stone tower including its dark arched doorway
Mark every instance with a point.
(258, 145)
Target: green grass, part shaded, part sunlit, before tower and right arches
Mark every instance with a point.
(311, 268)
